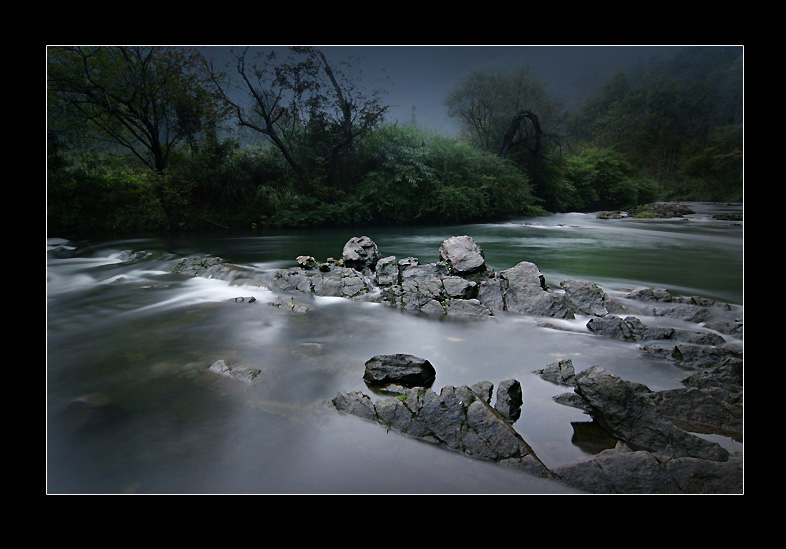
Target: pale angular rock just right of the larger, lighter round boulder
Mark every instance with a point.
(527, 293)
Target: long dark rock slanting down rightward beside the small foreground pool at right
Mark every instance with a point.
(630, 416)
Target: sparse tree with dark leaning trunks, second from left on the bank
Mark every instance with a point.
(309, 109)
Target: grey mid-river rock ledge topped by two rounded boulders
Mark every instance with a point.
(461, 286)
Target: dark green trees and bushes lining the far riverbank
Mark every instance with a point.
(663, 132)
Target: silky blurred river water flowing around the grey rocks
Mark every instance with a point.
(124, 331)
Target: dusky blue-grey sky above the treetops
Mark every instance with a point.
(421, 76)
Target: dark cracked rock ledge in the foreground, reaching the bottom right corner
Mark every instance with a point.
(654, 451)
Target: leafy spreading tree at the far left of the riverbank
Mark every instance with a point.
(147, 100)
